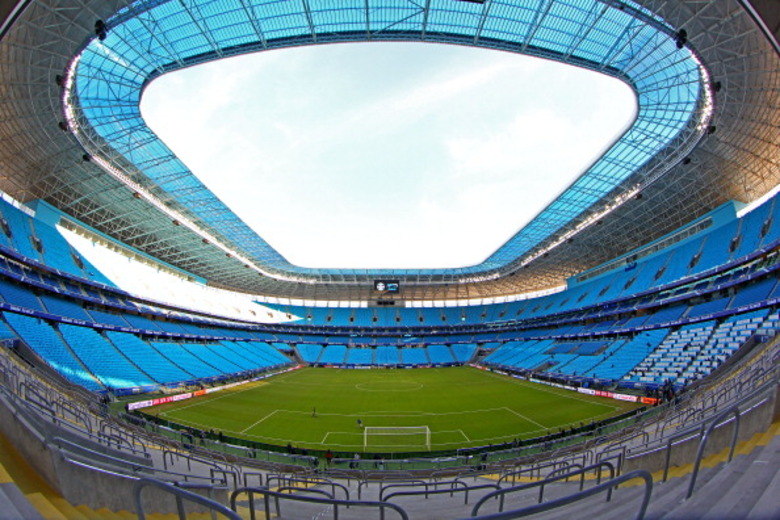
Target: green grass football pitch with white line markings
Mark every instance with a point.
(461, 406)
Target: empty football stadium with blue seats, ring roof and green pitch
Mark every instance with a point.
(617, 356)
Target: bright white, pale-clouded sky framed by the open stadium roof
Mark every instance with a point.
(387, 155)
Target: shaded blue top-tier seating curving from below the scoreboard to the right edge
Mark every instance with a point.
(701, 252)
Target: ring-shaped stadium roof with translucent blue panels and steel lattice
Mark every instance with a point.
(705, 74)
